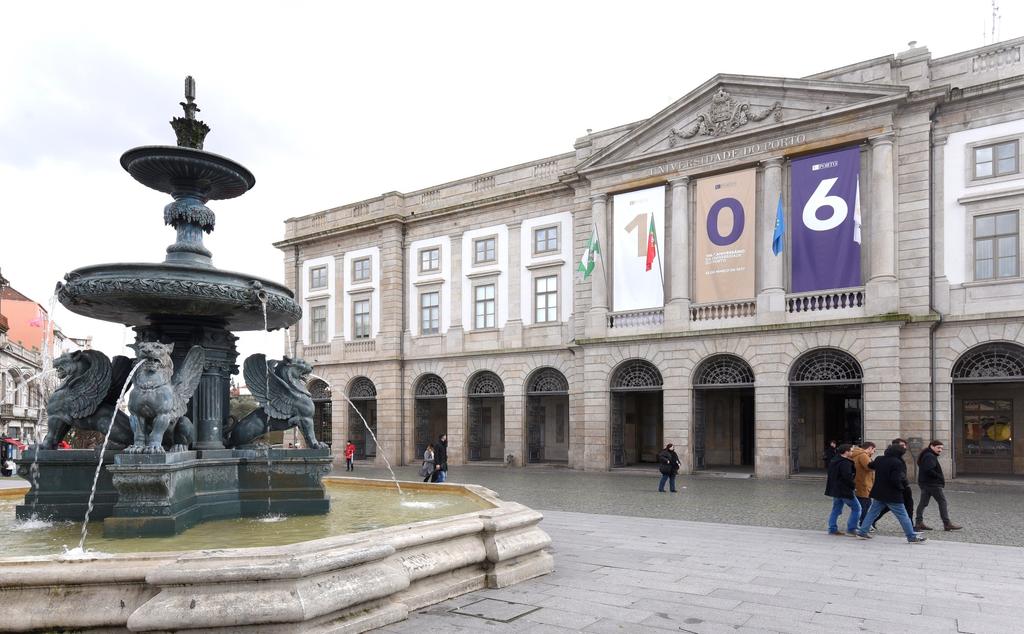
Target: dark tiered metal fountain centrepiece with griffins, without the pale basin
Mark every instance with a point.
(177, 471)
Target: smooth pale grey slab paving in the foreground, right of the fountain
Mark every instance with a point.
(696, 577)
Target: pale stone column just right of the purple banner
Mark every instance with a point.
(882, 292)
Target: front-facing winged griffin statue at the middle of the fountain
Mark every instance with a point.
(160, 397)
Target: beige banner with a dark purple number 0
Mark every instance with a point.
(724, 237)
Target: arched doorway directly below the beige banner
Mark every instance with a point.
(723, 413)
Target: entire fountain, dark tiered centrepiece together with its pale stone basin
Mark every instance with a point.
(173, 463)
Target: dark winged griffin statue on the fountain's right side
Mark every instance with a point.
(280, 389)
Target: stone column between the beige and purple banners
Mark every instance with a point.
(772, 268)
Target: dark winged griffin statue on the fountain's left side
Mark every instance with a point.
(88, 398)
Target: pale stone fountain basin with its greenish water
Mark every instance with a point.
(395, 555)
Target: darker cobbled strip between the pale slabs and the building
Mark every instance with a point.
(991, 515)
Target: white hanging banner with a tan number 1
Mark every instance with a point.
(634, 287)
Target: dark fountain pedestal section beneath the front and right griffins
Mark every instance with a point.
(165, 494)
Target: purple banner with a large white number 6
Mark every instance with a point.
(826, 221)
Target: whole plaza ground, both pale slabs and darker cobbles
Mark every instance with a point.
(757, 560)
